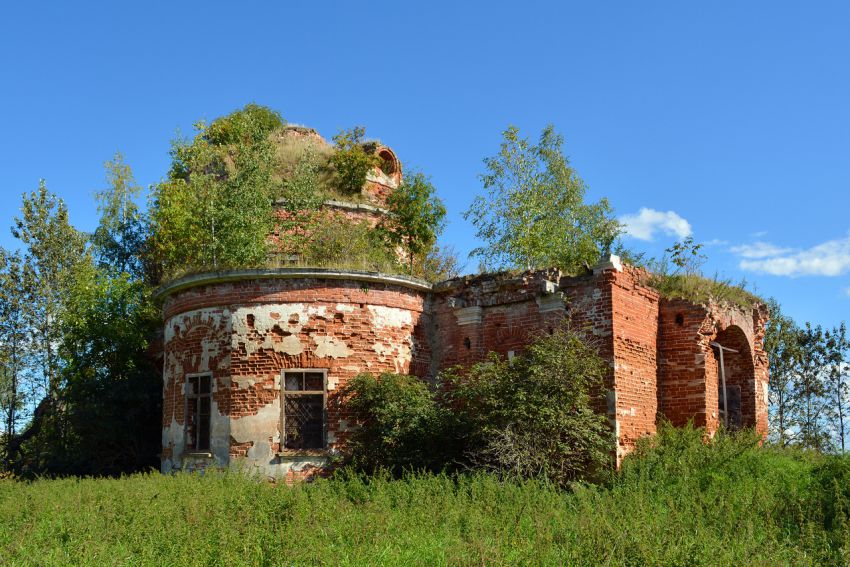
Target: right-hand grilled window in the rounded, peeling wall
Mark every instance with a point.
(303, 409)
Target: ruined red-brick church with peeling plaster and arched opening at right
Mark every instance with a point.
(254, 358)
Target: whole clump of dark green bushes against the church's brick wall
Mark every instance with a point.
(530, 417)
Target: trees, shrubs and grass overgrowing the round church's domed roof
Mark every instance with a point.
(216, 209)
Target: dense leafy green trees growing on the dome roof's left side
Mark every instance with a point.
(215, 208)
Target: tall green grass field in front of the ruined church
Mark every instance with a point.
(680, 503)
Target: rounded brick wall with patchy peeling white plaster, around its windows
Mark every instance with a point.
(264, 326)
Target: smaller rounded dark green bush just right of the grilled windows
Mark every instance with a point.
(400, 427)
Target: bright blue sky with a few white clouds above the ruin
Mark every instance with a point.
(726, 120)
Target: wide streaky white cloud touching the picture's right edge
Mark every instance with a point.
(830, 258)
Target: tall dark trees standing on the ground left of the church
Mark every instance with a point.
(81, 396)
